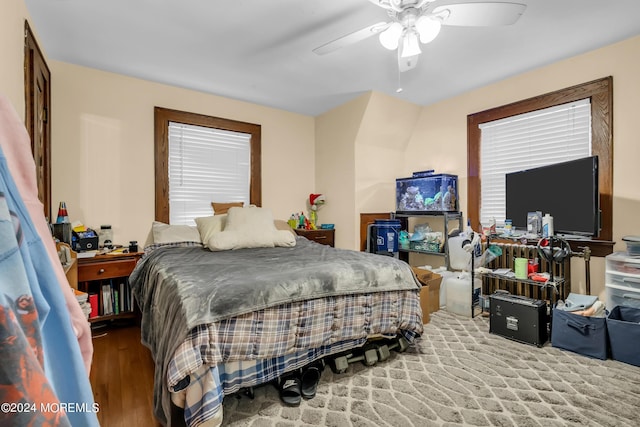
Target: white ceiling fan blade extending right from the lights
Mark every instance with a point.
(481, 14)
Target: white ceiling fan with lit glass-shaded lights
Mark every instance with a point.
(417, 21)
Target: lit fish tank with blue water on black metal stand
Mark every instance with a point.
(426, 192)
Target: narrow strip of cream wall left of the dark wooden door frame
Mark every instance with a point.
(14, 12)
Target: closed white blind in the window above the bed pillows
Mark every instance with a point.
(206, 165)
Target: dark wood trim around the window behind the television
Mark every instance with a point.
(600, 93)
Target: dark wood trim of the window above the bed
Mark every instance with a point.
(162, 118)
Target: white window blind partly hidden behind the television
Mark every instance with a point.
(526, 141)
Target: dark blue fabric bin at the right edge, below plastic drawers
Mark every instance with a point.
(623, 326)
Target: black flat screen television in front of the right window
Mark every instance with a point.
(568, 191)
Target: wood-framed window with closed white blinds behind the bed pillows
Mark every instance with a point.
(202, 159)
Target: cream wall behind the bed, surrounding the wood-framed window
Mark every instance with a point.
(103, 147)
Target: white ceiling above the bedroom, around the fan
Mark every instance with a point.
(261, 51)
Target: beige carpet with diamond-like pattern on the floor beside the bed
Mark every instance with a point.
(459, 374)
